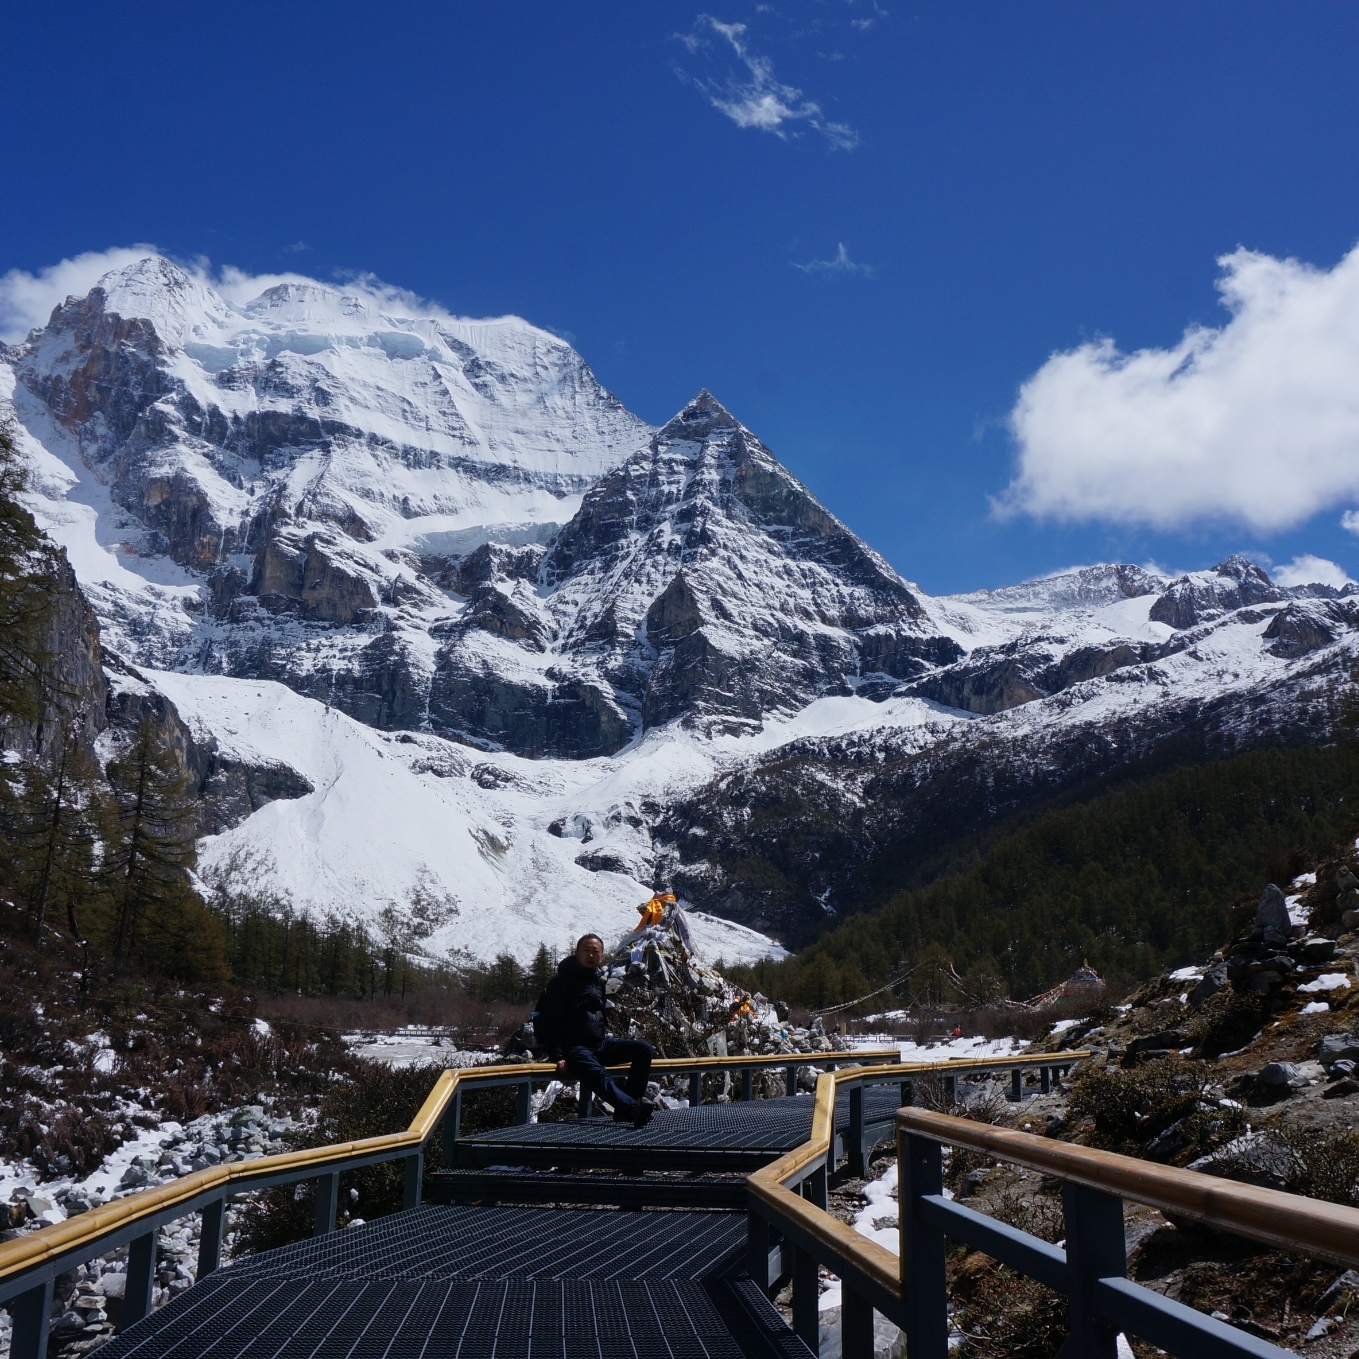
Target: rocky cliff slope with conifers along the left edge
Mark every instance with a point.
(100, 816)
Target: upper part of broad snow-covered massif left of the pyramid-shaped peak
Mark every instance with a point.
(309, 448)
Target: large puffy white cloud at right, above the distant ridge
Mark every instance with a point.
(1255, 423)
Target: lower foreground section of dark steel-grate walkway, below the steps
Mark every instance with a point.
(483, 1284)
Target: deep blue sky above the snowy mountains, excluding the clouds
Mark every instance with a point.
(1027, 177)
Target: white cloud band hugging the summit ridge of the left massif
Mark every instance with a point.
(27, 300)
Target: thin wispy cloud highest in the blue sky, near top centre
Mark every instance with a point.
(749, 94)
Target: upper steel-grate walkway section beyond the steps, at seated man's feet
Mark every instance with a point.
(743, 1135)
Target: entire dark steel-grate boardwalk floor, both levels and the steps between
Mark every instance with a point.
(478, 1282)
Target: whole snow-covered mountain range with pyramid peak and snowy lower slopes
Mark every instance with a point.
(441, 626)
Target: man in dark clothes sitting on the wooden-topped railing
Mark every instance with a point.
(574, 1028)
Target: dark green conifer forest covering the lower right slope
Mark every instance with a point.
(1133, 883)
